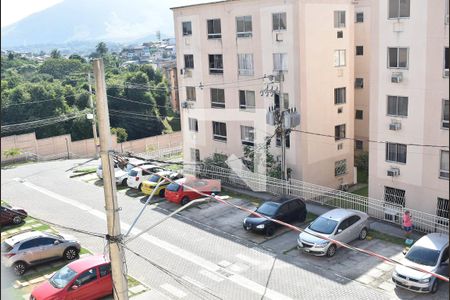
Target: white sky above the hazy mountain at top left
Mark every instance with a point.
(15, 10)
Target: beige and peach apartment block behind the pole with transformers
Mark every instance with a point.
(224, 50)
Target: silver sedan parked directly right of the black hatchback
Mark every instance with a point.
(343, 225)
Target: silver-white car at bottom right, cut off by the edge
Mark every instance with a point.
(430, 253)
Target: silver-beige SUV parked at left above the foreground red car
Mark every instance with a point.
(36, 247)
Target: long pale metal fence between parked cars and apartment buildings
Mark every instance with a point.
(378, 209)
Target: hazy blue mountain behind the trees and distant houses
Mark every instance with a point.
(73, 21)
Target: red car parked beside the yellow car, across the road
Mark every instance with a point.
(178, 193)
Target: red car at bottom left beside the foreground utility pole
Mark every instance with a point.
(86, 278)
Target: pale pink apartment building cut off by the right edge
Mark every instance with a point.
(409, 105)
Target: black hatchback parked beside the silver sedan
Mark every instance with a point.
(283, 208)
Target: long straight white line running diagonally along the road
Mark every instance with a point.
(182, 253)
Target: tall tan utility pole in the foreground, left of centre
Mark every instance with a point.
(116, 253)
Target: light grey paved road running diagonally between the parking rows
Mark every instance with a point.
(183, 260)
